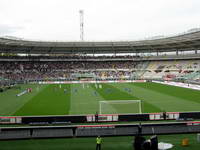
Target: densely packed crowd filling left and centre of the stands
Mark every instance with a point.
(60, 70)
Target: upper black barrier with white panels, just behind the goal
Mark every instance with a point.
(67, 119)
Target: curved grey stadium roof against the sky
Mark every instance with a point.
(188, 41)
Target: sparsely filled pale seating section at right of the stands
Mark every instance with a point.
(180, 69)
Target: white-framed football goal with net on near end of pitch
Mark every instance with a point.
(120, 107)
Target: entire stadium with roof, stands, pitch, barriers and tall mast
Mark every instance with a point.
(62, 95)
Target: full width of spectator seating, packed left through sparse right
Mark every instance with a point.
(126, 69)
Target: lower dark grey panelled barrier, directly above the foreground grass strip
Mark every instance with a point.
(95, 130)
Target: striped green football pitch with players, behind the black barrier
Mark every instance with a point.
(64, 99)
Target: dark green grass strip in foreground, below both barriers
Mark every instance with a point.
(109, 143)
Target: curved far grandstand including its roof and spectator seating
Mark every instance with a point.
(170, 58)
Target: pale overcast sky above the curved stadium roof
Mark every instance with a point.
(104, 20)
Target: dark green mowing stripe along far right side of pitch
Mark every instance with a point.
(183, 93)
